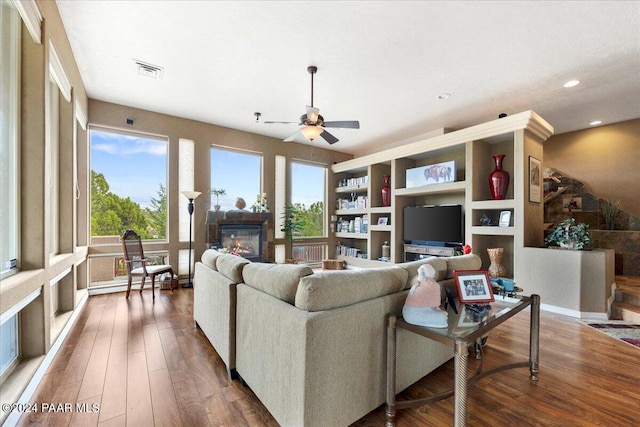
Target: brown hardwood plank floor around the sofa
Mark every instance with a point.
(146, 364)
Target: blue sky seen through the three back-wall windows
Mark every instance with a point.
(136, 166)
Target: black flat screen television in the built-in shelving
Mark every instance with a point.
(434, 225)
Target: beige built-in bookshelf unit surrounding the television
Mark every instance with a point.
(471, 150)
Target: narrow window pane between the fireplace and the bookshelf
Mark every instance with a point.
(307, 194)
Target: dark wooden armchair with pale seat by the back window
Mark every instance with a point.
(137, 263)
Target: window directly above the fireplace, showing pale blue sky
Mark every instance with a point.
(238, 173)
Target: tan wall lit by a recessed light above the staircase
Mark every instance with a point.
(605, 158)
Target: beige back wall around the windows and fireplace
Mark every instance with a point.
(205, 135)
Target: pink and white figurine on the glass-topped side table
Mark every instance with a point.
(422, 306)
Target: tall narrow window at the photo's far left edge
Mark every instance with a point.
(9, 137)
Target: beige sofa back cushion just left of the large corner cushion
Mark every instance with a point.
(278, 280)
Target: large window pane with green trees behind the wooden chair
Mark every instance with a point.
(128, 185)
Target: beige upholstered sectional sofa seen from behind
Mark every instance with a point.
(310, 344)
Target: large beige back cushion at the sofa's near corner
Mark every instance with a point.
(327, 290)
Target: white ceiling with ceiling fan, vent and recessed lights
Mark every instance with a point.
(383, 63)
